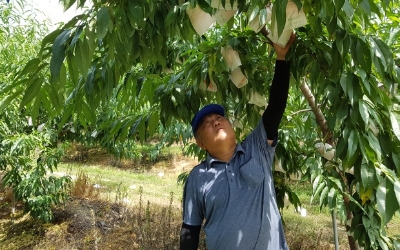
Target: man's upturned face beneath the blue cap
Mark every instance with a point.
(214, 131)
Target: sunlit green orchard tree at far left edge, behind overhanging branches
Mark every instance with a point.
(25, 156)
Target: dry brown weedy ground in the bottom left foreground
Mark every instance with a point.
(89, 224)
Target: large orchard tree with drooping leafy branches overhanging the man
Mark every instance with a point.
(147, 60)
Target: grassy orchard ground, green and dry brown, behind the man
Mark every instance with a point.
(130, 205)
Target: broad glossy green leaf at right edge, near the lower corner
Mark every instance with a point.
(387, 202)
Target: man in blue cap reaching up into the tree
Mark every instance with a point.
(233, 191)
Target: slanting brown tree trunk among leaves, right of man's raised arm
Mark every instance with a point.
(328, 136)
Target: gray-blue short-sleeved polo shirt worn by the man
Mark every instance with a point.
(237, 199)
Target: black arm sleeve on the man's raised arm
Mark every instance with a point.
(277, 99)
